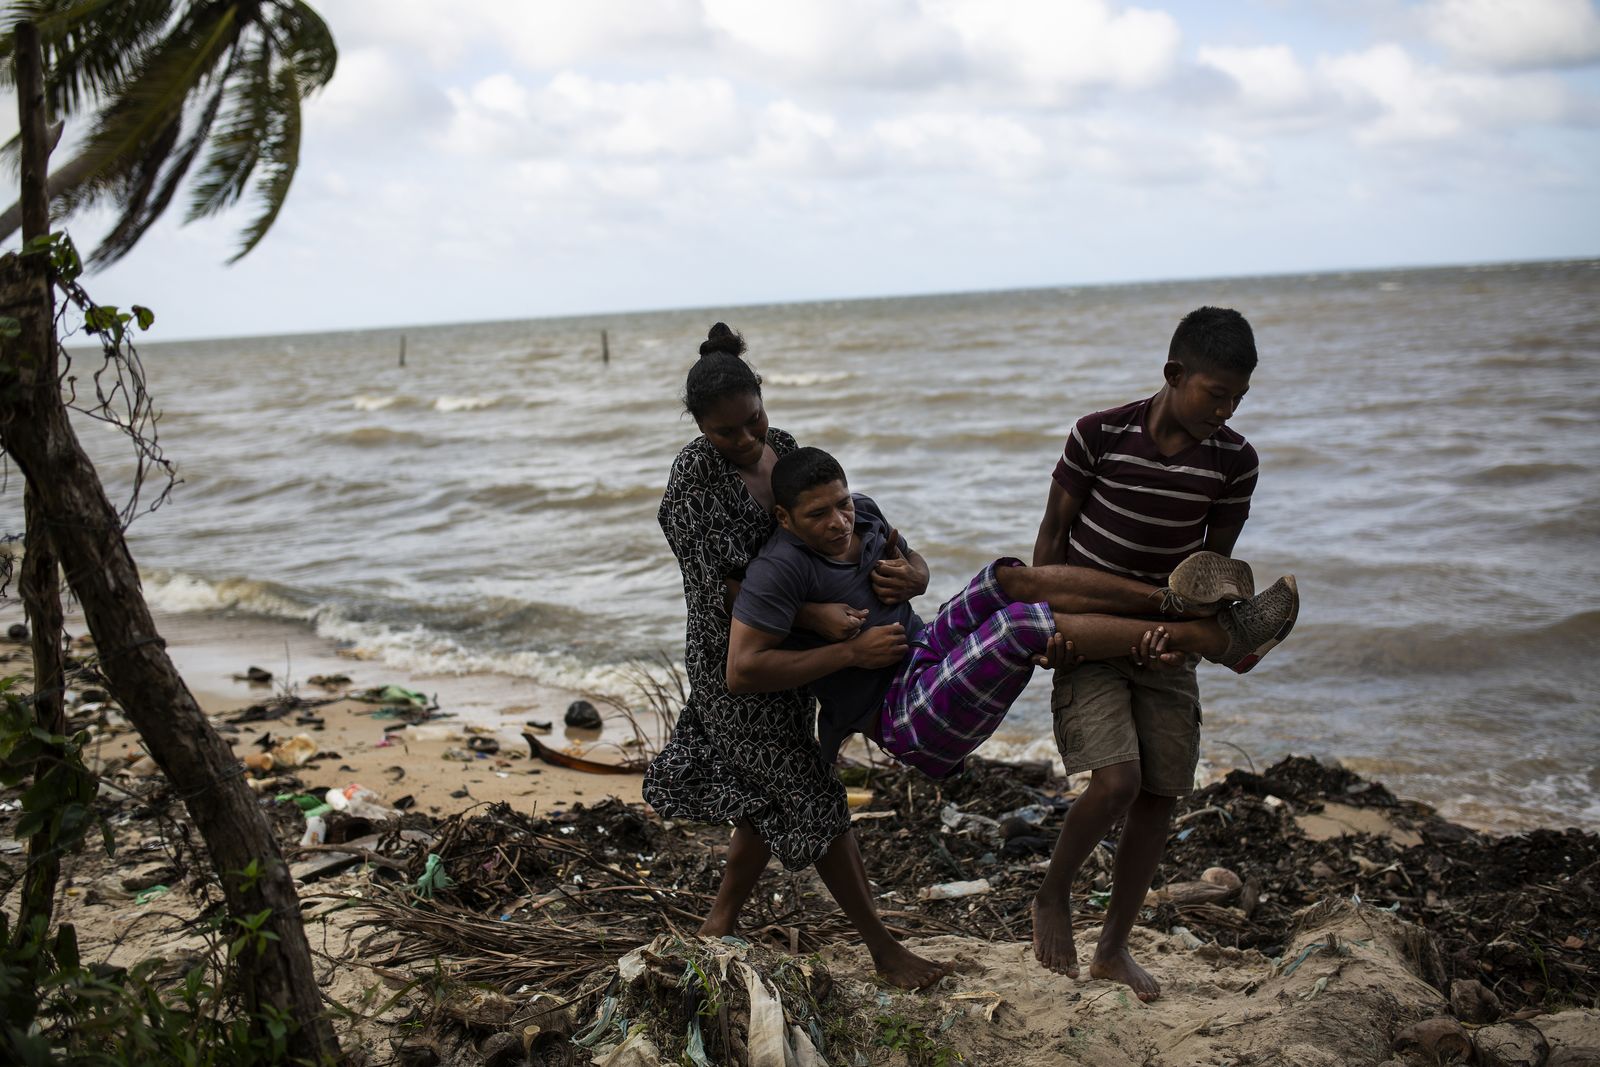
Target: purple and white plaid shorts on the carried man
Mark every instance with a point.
(966, 671)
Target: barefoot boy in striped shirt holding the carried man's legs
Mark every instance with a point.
(1137, 490)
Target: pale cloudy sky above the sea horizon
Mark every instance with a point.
(495, 159)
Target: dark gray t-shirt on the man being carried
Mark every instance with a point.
(790, 575)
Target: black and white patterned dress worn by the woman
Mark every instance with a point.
(737, 757)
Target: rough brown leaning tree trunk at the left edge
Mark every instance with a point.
(87, 535)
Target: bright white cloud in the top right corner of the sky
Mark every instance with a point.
(1518, 34)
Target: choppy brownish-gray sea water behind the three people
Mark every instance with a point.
(1431, 473)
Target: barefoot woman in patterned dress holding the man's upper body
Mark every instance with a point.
(753, 759)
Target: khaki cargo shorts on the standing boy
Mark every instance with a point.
(1114, 711)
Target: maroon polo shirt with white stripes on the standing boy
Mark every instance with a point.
(1143, 513)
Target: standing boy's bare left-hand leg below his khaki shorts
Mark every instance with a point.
(1111, 793)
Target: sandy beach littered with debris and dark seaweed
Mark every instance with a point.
(1314, 954)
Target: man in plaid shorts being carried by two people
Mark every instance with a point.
(932, 693)
